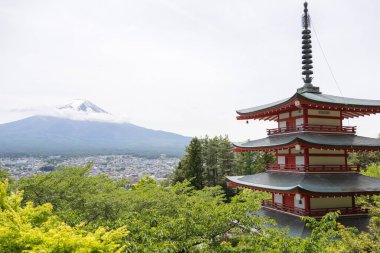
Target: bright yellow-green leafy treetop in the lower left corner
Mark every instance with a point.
(34, 229)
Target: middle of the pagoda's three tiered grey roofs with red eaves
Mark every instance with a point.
(328, 141)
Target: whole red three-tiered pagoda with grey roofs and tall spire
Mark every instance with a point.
(312, 176)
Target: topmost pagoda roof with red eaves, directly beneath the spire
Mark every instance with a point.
(352, 107)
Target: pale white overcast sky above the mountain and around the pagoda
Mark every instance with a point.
(183, 65)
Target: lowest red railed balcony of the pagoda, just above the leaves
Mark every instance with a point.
(357, 210)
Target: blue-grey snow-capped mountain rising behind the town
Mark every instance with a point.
(81, 127)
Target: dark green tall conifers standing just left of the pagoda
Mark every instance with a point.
(209, 160)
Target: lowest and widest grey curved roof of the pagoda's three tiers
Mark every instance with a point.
(309, 183)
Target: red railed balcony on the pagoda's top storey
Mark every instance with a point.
(313, 128)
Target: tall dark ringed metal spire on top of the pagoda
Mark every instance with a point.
(306, 54)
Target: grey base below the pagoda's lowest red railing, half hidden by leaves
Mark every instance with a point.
(297, 228)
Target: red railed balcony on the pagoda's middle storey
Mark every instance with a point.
(313, 168)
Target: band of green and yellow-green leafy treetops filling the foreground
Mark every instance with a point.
(159, 218)
